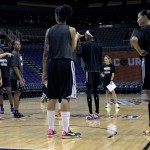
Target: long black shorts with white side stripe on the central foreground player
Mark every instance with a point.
(61, 79)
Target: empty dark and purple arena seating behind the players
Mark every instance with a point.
(111, 38)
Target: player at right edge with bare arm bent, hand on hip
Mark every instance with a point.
(141, 42)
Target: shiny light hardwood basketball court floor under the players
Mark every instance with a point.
(115, 130)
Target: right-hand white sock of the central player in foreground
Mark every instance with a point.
(65, 120)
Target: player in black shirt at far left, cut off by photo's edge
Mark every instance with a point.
(5, 71)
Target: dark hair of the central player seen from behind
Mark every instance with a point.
(64, 12)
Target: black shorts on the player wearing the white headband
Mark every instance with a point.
(93, 78)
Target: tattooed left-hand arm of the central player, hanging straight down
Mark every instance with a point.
(45, 56)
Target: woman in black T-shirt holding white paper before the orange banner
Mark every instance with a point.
(108, 73)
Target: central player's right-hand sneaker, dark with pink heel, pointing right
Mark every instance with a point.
(70, 134)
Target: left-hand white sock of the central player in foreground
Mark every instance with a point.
(51, 119)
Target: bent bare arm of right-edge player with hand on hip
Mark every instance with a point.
(134, 42)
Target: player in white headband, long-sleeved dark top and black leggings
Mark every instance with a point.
(92, 54)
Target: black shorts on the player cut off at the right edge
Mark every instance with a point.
(146, 84)
